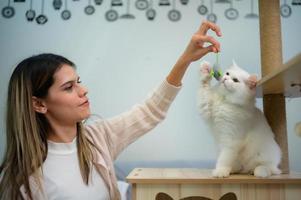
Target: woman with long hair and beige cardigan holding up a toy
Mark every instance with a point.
(50, 154)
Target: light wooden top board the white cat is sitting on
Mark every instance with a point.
(202, 176)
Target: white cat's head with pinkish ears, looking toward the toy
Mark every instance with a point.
(237, 84)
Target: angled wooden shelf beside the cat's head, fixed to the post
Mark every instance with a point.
(282, 81)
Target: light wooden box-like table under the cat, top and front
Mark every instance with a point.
(186, 182)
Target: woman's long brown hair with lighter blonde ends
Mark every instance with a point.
(26, 130)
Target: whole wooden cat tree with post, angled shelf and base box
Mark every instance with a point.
(279, 80)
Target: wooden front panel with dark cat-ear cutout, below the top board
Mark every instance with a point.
(216, 191)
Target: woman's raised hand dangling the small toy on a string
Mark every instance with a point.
(196, 49)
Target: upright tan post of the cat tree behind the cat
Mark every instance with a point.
(271, 59)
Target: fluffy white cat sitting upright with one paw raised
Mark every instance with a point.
(246, 141)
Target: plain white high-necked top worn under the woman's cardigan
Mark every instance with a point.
(62, 177)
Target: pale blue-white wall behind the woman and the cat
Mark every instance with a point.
(121, 62)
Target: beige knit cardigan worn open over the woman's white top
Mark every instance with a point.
(111, 136)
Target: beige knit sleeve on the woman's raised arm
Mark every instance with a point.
(122, 130)
